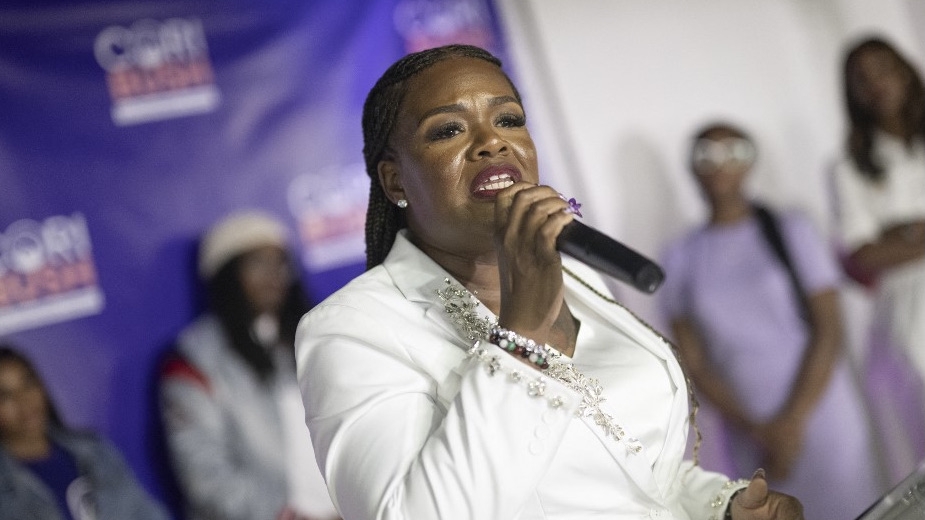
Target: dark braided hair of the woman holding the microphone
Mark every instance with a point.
(380, 112)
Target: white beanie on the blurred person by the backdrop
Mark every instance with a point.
(235, 234)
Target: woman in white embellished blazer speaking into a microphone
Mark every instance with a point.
(472, 372)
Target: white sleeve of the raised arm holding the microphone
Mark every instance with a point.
(387, 446)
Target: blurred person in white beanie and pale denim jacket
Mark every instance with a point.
(230, 404)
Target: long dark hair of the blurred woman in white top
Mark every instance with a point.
(863, 121)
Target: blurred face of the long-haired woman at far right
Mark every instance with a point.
(879, 83)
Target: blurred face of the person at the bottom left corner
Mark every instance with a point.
(23, 408)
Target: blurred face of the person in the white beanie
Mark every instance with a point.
(265, 276)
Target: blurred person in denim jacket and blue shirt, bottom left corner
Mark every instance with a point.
(51, 472)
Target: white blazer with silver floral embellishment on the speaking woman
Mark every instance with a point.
(407, 425)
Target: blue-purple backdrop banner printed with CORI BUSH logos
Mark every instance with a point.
(128, 127)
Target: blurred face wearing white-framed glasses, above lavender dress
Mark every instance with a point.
(721, 159)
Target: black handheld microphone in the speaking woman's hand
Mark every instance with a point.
(610, 257)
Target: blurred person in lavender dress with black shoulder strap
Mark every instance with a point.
(751, 297)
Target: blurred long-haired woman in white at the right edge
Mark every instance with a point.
(880, 193)
